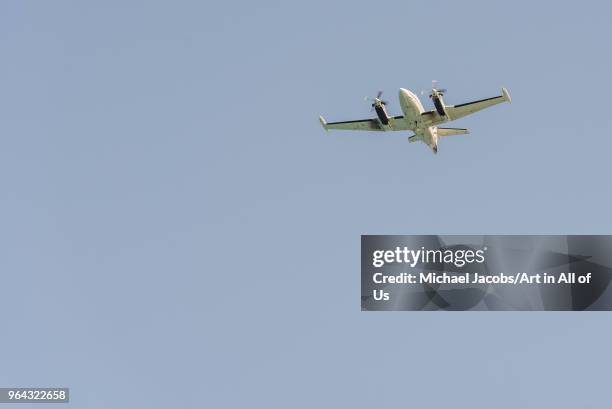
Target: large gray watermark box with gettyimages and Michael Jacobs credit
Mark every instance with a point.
(486, 272)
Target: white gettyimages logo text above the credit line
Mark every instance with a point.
(412, 257)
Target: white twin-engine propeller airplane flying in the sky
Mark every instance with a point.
(423, 123)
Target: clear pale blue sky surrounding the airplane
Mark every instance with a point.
(179, 231)
